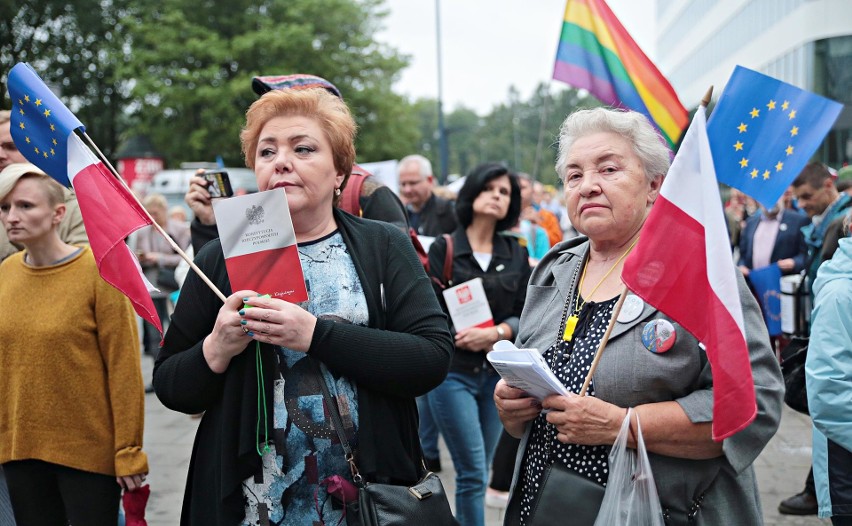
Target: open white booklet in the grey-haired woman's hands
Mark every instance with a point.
(525, 369)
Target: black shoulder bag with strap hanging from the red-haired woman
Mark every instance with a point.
(389, 504)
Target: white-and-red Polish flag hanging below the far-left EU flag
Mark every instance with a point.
(110, 214)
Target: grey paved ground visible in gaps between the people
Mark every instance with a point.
(781, 468)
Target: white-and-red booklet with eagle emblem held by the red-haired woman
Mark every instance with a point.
(259, 244)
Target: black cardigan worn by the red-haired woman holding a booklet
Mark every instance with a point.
(404, 353)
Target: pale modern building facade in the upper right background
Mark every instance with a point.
(807, 43)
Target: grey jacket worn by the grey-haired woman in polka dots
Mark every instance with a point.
(717, 491)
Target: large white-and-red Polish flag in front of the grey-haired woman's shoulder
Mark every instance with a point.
(682, 266)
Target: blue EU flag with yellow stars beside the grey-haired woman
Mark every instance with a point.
(763, 132)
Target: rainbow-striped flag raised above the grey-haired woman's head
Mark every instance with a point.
(596, 53)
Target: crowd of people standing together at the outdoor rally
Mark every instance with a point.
(376, 341)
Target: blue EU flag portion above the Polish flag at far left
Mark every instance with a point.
(40, 122)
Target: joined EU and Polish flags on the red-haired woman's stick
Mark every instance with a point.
(45, 132)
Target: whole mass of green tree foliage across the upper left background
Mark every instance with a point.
(180, 71)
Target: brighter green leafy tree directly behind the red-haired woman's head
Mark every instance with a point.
(193, 64)
